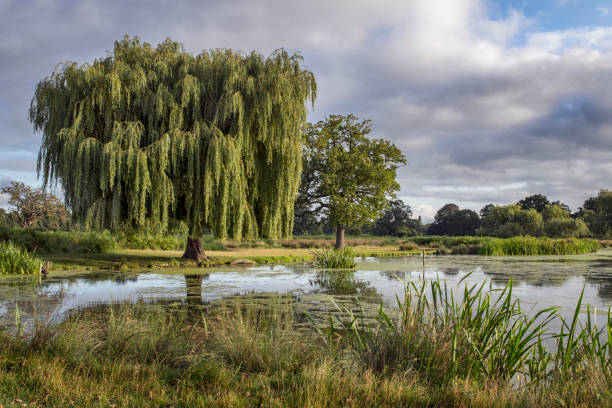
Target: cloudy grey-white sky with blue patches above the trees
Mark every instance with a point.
(489, 100)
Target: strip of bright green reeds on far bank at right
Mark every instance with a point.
(538, 246)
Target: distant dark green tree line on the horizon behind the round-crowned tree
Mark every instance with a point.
(534, 215)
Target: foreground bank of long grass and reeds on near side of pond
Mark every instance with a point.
(475, 350)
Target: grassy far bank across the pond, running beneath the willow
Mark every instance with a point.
(102, 250)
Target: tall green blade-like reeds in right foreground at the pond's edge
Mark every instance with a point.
(478, 335)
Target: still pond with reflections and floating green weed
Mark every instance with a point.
(538, 281)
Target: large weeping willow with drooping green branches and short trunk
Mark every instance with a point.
(149, 133)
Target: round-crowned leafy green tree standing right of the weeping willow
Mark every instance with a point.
(347, 176)
